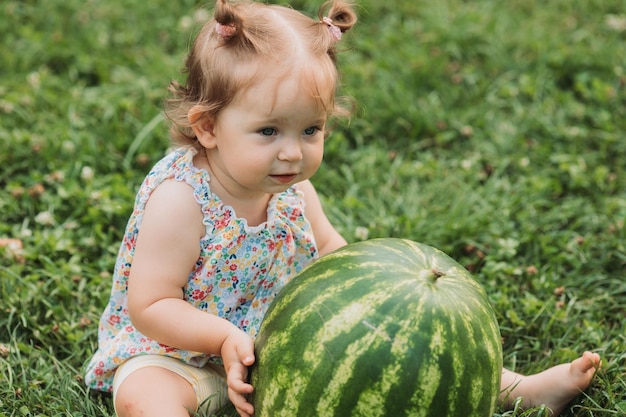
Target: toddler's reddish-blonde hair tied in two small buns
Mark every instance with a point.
(259, 36)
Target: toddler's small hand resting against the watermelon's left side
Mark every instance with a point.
(238, 354)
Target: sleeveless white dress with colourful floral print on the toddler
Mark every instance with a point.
(240, 270)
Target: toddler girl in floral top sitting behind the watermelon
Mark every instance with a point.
(225, 220)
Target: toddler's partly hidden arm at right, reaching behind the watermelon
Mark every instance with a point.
(326, 236)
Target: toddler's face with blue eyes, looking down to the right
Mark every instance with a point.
(268, 138)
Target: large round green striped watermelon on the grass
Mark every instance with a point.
(386, 327)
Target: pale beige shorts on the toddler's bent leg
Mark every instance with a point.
(209, 382)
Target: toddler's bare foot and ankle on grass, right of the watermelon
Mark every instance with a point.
(554, 387)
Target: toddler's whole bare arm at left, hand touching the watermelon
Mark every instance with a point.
(166, 250)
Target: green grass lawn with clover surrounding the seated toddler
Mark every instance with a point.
(492, 130)
